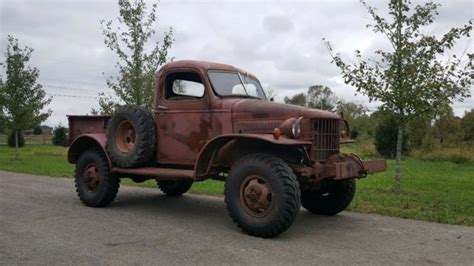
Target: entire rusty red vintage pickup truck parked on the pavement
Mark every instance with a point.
(213, 121)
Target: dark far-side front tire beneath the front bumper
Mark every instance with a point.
(331, 198)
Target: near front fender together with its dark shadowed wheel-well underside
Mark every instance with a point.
(224, 150)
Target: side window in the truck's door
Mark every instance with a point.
(184, 86)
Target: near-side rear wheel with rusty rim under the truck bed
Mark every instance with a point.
(96, 186)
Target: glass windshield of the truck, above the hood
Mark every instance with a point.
(235, 84)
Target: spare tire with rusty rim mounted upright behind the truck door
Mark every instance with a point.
(131, 137)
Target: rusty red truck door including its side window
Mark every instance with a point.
(182, 117)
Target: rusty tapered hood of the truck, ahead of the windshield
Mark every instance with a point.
(259, 109)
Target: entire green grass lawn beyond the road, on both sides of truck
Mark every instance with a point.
(438, 191)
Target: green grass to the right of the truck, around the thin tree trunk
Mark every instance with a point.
(431, 191)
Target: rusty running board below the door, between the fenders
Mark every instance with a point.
(158, 173)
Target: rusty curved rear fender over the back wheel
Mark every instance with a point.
(85, 142)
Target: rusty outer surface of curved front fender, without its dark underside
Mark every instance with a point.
(210, 151)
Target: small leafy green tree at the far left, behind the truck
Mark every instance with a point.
(22, 99)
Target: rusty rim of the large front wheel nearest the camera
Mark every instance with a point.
(256, 196)
